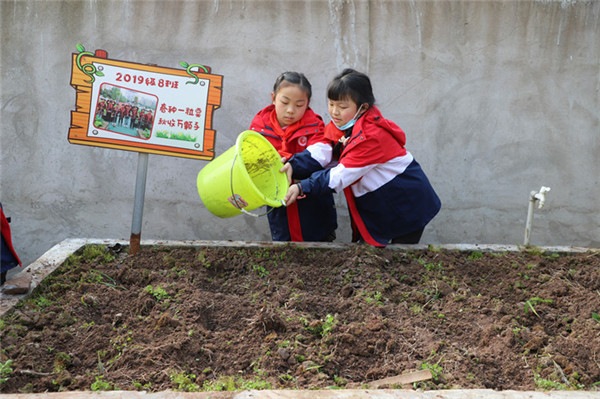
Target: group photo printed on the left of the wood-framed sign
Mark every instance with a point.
(125, 111)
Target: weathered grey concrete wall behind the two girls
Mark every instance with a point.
(497, 99)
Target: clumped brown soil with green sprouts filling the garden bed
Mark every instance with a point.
(290, 317)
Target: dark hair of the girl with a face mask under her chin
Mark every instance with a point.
(351, 84)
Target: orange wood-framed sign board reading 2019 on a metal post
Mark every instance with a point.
(144, 108)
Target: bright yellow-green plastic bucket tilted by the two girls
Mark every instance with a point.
(249, 172)
